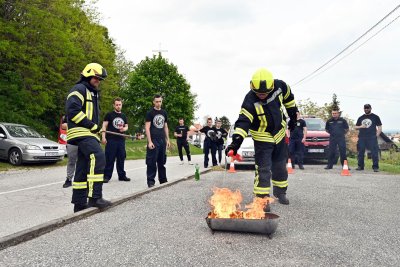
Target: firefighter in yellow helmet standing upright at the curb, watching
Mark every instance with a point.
(83, 115)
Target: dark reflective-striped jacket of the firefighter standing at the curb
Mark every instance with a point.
(82, 109)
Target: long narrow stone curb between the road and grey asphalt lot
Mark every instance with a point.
(44, 228)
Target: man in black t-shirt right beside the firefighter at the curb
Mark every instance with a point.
(117, 122)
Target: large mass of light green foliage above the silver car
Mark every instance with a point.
(44, 45)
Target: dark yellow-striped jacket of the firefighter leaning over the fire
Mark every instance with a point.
(265, 119)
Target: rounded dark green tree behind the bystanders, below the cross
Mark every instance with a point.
(157, 76)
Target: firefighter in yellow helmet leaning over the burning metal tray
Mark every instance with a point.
(262, 113)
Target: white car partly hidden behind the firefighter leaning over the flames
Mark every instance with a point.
(246, 150)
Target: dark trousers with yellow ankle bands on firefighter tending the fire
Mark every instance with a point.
(270, 162)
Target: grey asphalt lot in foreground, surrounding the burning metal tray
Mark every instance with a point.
(332, 220)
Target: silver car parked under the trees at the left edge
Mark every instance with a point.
(20, 143)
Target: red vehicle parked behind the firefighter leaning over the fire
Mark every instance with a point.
(317, 139)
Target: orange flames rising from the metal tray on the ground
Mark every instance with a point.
(226, 204)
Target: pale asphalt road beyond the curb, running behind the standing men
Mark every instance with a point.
(30, 197)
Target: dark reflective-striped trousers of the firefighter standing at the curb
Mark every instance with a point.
(88, 180)
